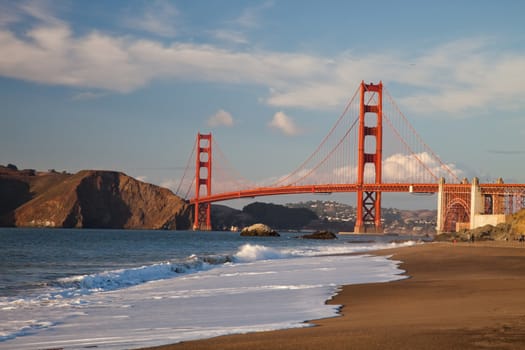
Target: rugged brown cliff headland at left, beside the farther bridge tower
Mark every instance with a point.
(89, 199)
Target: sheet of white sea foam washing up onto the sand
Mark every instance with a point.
(263, 289)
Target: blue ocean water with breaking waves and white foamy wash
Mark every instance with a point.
(124, 289)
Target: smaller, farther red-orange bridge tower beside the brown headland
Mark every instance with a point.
(202, 214)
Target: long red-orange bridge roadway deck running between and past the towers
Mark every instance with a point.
(492, 188)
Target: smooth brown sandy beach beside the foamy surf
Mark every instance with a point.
(457, 296)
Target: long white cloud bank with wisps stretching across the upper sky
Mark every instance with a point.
(451, 79)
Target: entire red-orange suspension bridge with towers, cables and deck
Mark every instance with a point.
(370, 150)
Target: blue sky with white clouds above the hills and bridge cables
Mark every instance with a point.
(126, 85)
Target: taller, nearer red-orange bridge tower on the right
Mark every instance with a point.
(370, 148)
